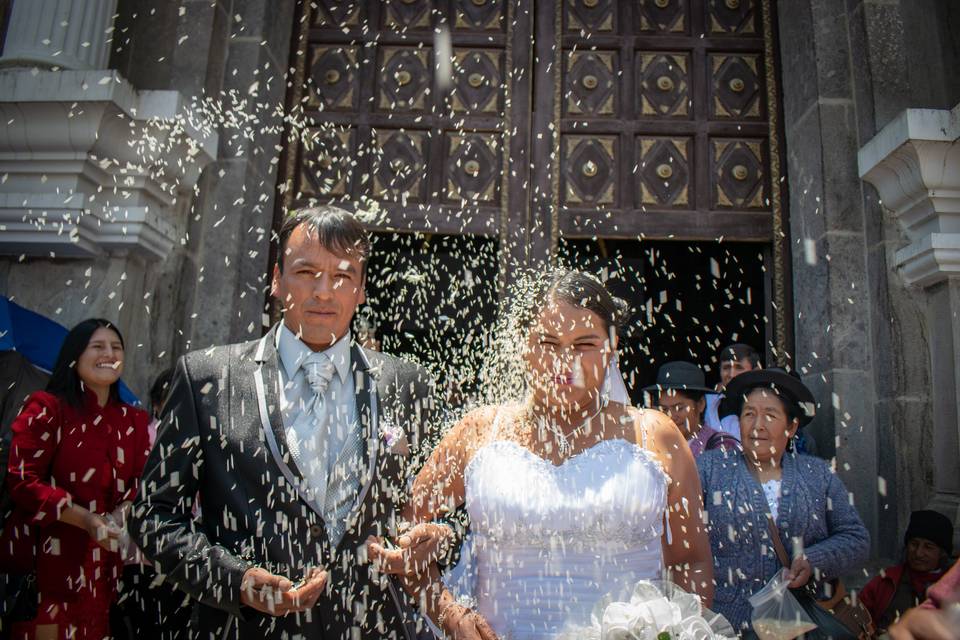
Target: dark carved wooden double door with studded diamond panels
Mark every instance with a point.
(639, 119)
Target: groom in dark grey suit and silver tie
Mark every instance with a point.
(298, 447)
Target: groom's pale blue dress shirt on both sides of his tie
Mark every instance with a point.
(296, 392)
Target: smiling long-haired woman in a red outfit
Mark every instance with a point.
(75, 462)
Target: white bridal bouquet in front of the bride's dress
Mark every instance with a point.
(650, 613)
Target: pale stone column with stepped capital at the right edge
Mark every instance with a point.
(914, 163)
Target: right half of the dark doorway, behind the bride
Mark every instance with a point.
(688, 299)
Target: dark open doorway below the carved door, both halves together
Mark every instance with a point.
(433, 299)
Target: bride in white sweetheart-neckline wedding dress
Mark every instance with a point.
(570, 495)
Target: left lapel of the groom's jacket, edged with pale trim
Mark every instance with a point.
(267, 379)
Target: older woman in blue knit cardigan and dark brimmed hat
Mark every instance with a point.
(742, 489)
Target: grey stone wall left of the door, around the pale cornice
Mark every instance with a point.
(226, 56)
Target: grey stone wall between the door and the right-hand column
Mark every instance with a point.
(862, 335)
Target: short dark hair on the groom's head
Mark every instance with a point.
(338, 231)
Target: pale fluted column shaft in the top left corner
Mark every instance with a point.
(69, 34)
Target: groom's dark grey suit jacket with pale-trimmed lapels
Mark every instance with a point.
(222, 440)
